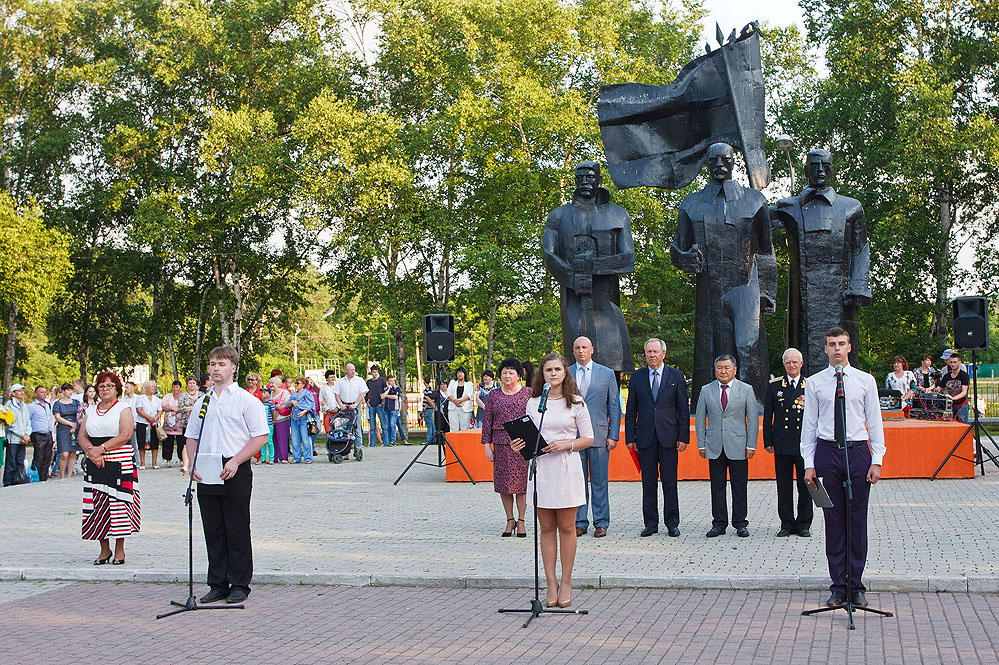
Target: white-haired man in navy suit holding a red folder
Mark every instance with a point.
(657, 422)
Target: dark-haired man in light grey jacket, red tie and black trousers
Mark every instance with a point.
(727, 424)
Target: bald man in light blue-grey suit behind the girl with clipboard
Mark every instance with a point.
(598, 386)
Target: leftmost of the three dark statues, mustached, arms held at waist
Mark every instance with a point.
(587, 245)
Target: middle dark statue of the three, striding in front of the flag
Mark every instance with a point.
(723, 237)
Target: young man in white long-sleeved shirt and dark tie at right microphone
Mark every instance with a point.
(823, 458)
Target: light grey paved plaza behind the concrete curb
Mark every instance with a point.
(348, 524)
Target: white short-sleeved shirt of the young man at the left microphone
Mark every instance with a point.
(234, 417)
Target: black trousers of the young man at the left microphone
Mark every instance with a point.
(225, 516)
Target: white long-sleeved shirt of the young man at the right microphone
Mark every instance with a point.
(863, 412)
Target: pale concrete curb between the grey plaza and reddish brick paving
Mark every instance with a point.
(876, 583)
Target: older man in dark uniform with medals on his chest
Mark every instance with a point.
(782, 412)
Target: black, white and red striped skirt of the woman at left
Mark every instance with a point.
(110, 495)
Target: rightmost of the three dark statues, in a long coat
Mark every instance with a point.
(830, 263)
